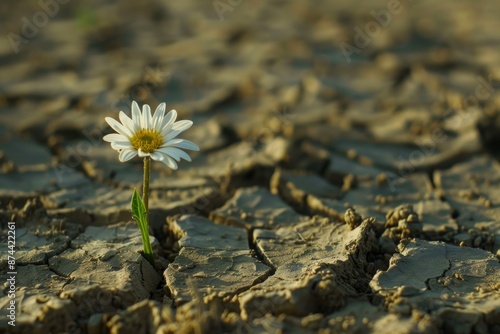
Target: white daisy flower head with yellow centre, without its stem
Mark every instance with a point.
(153, 136)
